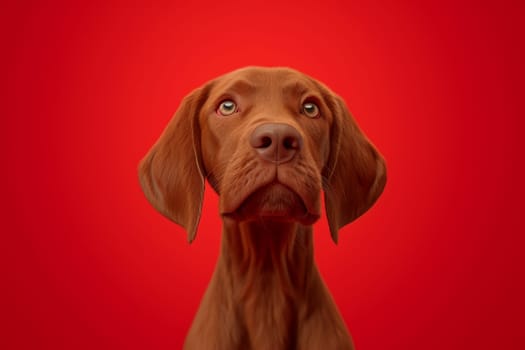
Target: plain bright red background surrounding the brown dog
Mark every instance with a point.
(86, 90)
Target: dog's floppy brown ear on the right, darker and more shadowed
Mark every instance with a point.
(355, 172)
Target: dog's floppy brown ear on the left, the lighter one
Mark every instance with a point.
(171, 174)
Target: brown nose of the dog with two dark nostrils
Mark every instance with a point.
(277, 143)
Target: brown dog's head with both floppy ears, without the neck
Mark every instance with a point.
(268, 140)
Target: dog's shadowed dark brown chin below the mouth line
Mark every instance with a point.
(274, 202)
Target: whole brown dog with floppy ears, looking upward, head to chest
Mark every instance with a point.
(268, 140)
